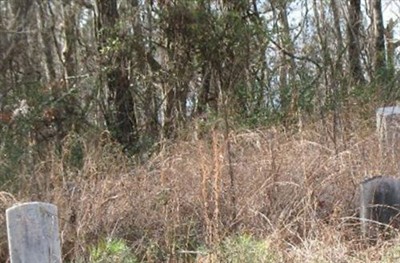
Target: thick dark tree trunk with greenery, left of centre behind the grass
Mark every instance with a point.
(120, 118)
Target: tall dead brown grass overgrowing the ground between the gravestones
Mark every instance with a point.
(297, 191)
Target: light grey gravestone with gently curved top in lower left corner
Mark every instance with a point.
(33, 235)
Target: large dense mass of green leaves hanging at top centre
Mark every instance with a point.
(227, 43)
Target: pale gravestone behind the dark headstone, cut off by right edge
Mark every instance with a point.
(388, 128)
